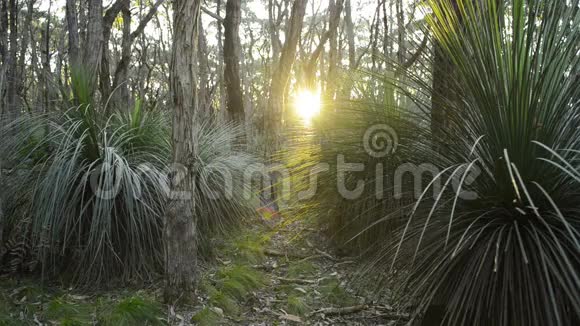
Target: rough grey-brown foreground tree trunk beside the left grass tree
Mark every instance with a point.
(181, 224)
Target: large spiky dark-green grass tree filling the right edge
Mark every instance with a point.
(499, 244)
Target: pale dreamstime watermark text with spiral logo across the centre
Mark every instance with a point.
(222, 180)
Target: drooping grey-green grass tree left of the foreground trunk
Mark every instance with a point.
(95, 191)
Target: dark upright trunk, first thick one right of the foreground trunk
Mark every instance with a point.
(232, 54)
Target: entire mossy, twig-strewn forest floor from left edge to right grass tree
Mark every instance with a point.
(269, 274)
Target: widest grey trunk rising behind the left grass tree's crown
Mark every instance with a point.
(94, 45)
